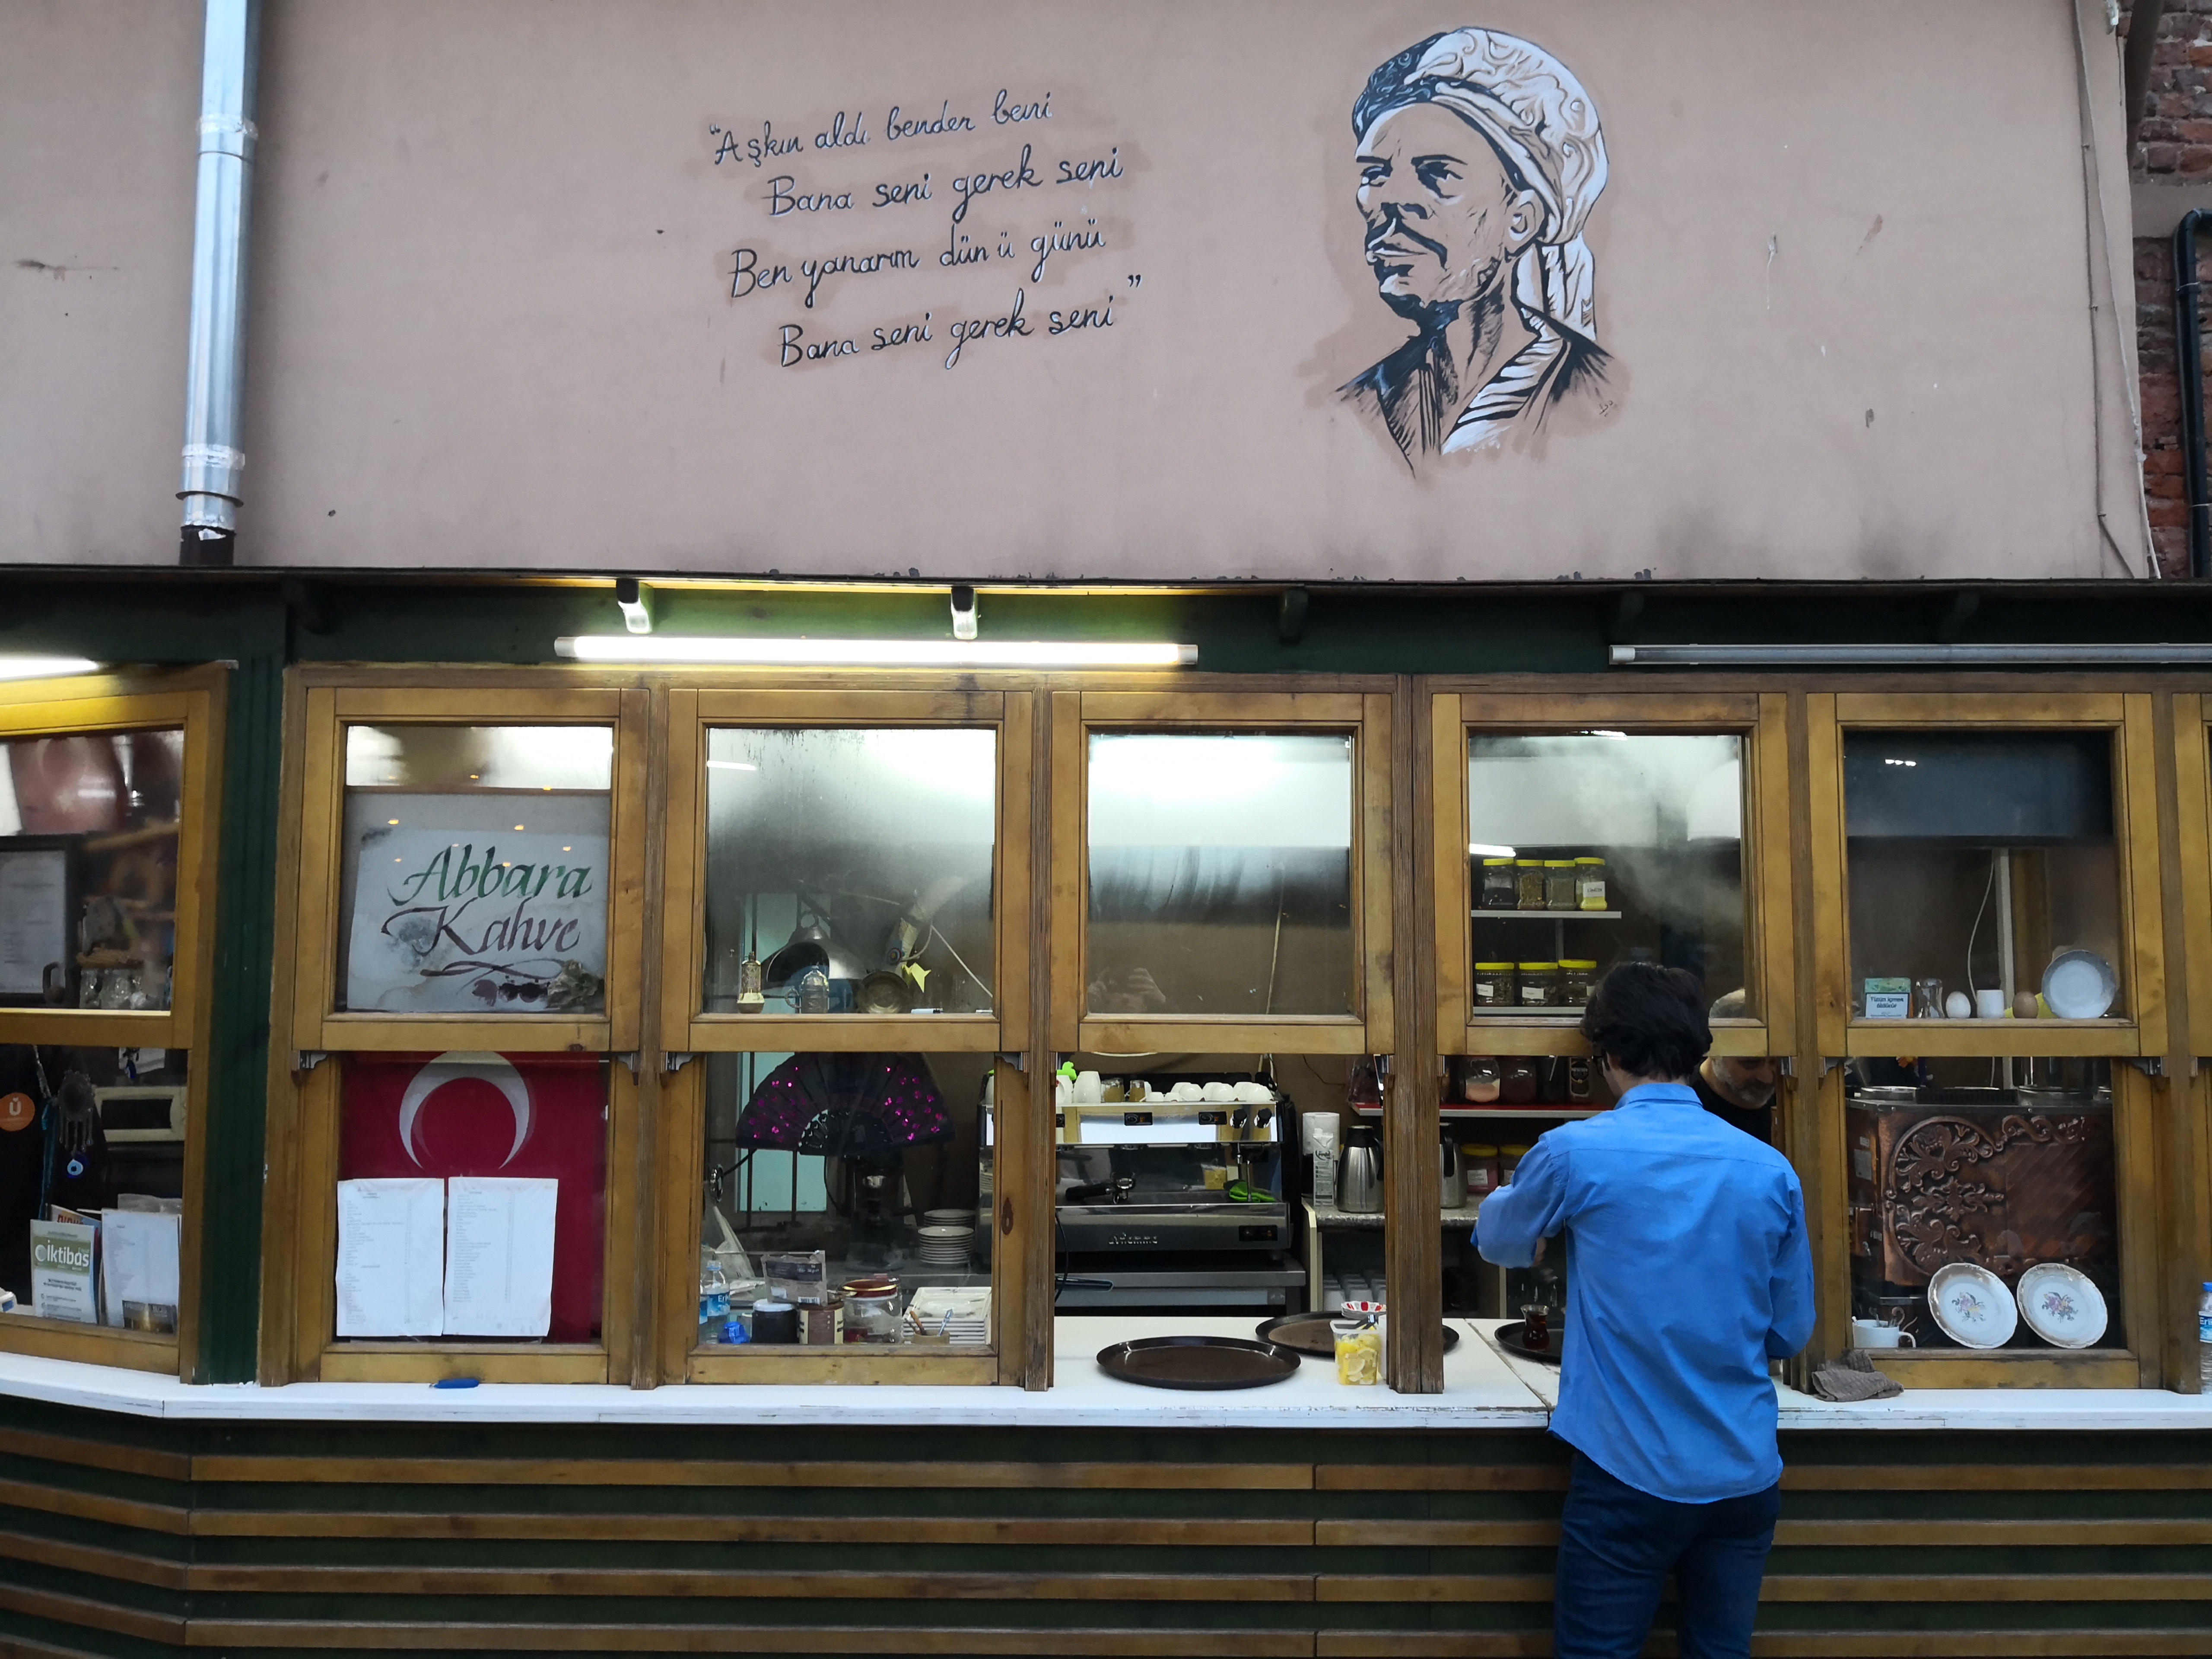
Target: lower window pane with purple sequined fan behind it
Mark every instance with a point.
(846, 1189)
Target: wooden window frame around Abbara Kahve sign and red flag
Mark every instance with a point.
(311, 1039)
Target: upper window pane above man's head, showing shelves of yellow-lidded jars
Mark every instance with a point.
(1598, 848)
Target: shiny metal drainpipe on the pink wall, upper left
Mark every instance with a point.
(216, 364)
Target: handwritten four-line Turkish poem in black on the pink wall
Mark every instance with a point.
(974, 225)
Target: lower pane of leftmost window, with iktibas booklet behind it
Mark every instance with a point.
(92, 1182)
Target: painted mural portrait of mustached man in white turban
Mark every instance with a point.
(1479, 165)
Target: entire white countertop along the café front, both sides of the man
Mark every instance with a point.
(1483, 1390)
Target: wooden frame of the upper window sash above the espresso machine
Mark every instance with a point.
(1366, 716)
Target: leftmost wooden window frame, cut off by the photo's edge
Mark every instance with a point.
(92, 705)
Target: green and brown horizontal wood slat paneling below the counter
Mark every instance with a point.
(362, 1538)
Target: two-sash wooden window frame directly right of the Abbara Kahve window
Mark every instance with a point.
(689, 1034)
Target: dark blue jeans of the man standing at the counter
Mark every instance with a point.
(1618, 1547)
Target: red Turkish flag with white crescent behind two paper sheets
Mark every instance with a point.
(510, 1116)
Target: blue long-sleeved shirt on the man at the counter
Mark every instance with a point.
(1687, 1271)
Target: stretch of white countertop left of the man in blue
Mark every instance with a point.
(1481, 1392)
